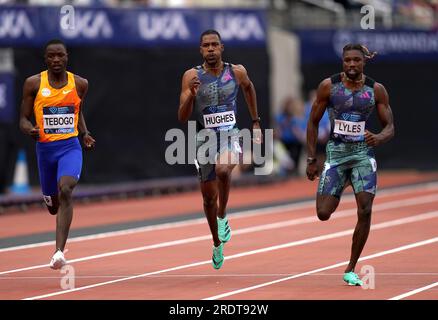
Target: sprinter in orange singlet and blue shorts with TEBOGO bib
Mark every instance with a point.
(55, 97)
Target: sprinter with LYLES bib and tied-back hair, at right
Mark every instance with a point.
(350, 97)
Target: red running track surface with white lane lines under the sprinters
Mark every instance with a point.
(280, 252)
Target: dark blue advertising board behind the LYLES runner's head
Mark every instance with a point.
(320, 46)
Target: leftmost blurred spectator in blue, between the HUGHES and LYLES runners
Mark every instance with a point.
(287, 128)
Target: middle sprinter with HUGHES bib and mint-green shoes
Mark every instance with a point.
(210, 90)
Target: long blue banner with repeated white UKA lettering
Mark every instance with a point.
(142, 27)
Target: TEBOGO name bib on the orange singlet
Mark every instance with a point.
(59, 120)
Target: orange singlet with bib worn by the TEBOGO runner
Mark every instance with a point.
(57, 110)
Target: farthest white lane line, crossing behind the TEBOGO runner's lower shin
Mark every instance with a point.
(239, 214)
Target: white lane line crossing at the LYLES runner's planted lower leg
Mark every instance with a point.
(337, 265)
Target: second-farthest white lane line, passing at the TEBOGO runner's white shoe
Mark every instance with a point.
(263, 227)
